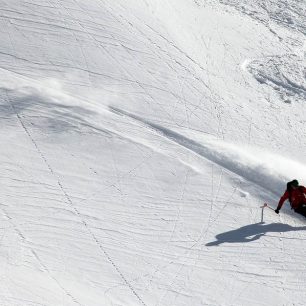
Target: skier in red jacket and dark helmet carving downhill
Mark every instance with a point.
(297, 198)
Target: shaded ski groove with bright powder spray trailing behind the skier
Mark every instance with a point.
(265, 169)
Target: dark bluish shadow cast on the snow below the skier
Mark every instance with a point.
(253, 232)
